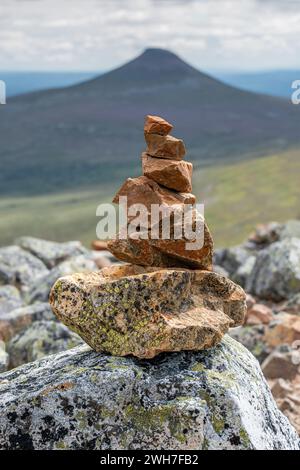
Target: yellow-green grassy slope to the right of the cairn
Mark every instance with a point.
(239, 196)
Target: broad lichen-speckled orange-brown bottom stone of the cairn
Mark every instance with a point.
(132, 310)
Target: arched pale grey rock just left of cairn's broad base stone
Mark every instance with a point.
(40, 290)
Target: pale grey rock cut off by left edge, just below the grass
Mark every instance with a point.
(20, 268)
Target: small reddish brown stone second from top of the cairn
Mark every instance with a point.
(165, 146)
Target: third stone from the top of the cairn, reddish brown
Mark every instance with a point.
(169, 173)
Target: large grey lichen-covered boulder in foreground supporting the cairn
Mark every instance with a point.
(80, 399)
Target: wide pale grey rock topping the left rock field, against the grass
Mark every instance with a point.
(51, 253)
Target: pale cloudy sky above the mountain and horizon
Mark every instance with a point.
(101, 34)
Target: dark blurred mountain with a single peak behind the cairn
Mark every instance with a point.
(90, 133)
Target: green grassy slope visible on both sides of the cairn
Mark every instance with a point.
(237, 196)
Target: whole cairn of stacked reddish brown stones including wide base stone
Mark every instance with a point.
(167, 298)
